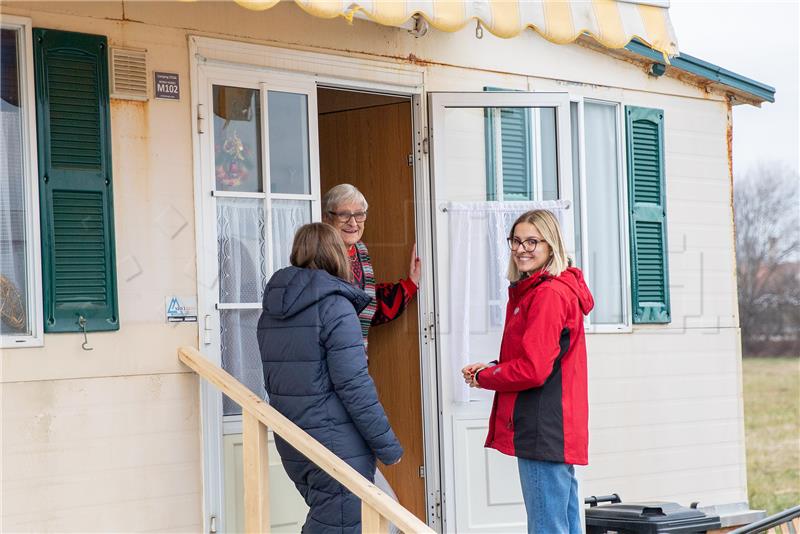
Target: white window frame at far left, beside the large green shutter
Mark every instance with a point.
(31, 184)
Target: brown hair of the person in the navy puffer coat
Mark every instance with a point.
(319, 246)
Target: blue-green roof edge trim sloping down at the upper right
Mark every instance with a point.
(714, 73)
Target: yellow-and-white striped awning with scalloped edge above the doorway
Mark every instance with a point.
(613, 23)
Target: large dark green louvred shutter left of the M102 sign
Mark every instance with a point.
(76, 201)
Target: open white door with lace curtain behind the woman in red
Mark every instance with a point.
(492, 155)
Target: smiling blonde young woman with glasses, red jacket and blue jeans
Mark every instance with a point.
(540, 411)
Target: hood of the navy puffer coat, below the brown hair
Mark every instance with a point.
(293, 289)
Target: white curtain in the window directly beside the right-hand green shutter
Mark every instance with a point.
(603, 213)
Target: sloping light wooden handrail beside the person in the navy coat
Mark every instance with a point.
(305, 444)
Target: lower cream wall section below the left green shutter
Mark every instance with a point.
(106, 454)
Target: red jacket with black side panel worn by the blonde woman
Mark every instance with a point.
(540, 410)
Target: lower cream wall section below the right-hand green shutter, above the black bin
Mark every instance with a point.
(666, 416)
